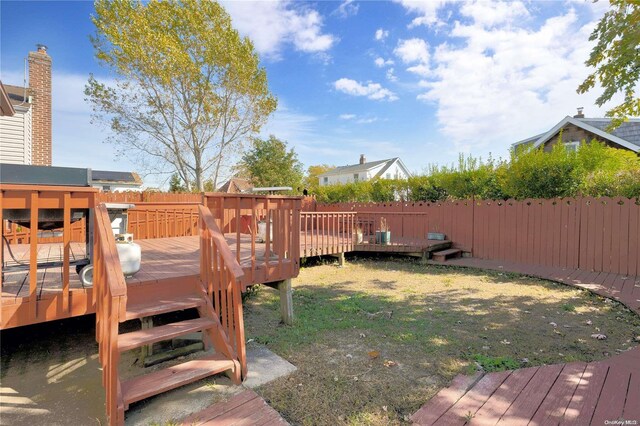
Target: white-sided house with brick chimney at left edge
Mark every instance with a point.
(25, 127)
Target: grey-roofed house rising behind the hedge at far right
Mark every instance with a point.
(579, 129)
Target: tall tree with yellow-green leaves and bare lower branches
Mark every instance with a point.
(188, 90)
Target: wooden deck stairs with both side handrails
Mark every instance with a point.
(215, 295)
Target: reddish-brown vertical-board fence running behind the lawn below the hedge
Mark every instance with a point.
(594, 234)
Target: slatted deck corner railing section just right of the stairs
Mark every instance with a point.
(269, 227)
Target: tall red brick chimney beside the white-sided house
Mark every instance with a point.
(40, 90)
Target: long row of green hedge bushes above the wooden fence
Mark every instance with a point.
(593, 170)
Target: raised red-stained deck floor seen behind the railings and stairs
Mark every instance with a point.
(165, 262)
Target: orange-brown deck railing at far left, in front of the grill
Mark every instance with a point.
(36, 202)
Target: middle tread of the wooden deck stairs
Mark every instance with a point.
(140, 338)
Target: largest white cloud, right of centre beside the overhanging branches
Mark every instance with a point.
(505, 82)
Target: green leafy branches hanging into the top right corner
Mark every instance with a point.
(616, 57)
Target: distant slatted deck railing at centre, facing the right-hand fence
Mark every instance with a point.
(326, 233)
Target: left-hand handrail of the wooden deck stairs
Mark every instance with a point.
(111, 301)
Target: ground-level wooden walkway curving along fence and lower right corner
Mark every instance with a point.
(572, 394)
